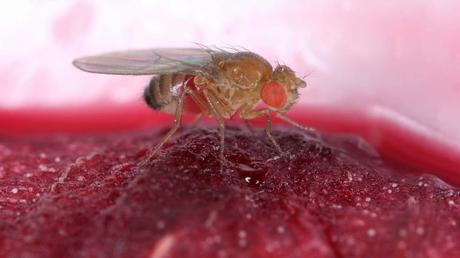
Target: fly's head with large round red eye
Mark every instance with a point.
(280, 93)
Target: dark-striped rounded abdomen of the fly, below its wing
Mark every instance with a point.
(163, 90)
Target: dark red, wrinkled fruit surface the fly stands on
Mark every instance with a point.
(331, 196)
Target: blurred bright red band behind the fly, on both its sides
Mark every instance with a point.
(390, 138)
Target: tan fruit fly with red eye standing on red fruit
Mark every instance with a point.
(211, 82)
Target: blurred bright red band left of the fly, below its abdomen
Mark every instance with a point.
(88, 119)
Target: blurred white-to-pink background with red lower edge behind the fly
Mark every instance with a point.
(388, 62)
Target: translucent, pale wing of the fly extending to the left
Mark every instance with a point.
(147, 61)
